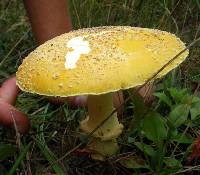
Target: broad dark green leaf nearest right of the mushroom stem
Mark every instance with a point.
(154, 127)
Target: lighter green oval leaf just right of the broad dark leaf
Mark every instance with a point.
(179, 115)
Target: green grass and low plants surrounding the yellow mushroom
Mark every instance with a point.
(47, 148)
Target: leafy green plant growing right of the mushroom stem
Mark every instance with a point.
(164, 135)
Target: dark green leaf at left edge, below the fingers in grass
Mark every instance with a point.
(6, 150)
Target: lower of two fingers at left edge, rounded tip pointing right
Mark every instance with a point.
(10, 117)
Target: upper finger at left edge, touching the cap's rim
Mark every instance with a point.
(9, 91)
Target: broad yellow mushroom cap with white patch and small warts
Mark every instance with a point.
(98, 60)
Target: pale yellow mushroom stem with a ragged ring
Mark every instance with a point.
(99, 108)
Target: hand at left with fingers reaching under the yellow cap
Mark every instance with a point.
(11, 117)
